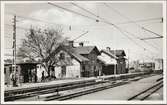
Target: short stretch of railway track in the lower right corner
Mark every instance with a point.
(147, 92)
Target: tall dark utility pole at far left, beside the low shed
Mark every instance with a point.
(14, 47)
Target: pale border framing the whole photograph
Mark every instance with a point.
(86, 101)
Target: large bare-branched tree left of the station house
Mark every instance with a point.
(42, 44)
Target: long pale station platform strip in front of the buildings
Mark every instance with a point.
(24, 86)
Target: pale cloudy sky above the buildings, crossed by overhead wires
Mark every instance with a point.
(99, 33)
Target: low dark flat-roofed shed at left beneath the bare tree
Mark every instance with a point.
(26, 72)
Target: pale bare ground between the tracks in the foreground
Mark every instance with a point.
(122, 92)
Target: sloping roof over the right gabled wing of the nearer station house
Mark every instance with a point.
(86, 49)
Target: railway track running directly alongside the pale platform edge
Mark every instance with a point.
(12, 95)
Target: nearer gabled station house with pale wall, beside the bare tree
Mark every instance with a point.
(80, 61)
